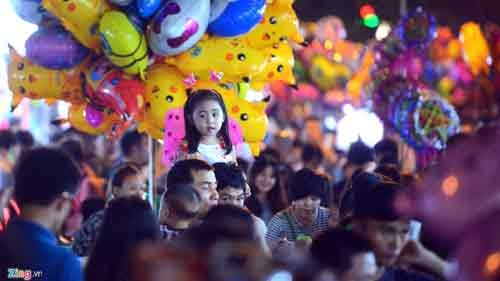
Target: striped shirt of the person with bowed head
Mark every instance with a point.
(284, 224)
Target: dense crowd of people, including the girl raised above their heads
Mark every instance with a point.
(77, 210)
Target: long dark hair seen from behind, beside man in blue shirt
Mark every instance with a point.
(127, 222)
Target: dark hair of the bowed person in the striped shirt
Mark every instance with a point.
(307, 183)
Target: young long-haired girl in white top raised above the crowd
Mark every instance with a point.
(207, 134)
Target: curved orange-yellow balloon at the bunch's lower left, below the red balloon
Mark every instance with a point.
(76, 117)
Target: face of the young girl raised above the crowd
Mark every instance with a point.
(208, 118)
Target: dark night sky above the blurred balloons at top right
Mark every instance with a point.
(447, 12)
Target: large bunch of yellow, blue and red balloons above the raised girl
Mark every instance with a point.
(124, 61)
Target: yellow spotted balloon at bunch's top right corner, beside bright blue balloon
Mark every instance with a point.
(279, 23)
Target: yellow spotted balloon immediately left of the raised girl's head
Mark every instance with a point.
(165, 90)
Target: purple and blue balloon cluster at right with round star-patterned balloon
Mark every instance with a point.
(401, 97)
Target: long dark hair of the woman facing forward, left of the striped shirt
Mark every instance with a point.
(277, 195)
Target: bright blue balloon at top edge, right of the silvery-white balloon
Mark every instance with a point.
(231, 18)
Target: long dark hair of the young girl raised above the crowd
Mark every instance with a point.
(192, 134)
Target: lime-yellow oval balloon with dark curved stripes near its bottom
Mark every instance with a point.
(123, 44)
